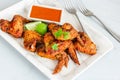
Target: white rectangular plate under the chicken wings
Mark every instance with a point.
(46, 66)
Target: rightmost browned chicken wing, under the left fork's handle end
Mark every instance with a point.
(89, 47)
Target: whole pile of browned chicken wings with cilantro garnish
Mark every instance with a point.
(58, 43)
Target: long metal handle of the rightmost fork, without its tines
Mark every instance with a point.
(116, 36)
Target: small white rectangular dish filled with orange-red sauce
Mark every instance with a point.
(45, 13)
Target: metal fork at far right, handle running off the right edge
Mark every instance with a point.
(87, 12)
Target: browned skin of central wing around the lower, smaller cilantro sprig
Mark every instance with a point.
(50, 41)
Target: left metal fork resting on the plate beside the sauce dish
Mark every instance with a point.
(68, 5)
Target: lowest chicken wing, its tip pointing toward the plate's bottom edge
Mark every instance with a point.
(62, 58)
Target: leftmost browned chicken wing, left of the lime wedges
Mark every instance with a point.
(14, 27)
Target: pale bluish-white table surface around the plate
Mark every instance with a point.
(13, 66)
